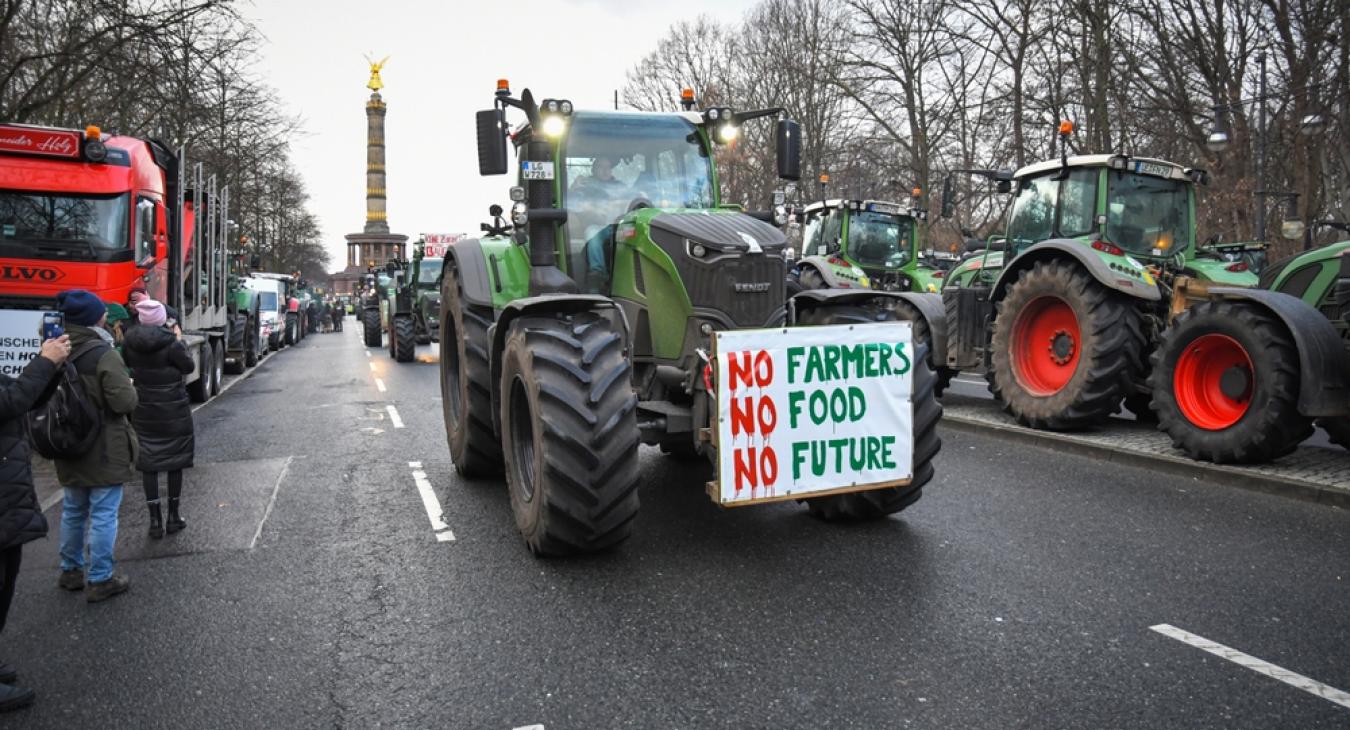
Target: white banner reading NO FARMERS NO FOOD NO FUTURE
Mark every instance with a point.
(813, 411)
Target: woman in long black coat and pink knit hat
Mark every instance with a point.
(163, 419)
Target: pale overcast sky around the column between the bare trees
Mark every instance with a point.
(446, 59)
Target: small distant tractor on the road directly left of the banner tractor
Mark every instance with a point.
(410, 308)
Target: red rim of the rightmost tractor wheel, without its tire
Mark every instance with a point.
(1198, 383)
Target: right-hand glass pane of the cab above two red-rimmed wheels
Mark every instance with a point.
(1148, 215)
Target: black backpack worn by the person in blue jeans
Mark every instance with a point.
(70, 423)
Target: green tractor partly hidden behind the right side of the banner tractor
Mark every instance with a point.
(873, 245)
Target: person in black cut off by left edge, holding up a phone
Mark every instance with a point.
(21, 516)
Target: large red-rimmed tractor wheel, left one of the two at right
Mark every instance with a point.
(1066, 349)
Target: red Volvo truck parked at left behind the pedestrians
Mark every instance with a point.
(83, 210)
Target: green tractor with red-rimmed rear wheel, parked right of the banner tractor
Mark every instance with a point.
(1063, 314)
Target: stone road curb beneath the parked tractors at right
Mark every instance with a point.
(1217, 474)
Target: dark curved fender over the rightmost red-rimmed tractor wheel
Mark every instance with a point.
(1324, 362)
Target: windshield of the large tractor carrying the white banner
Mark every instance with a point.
(618, 163)
